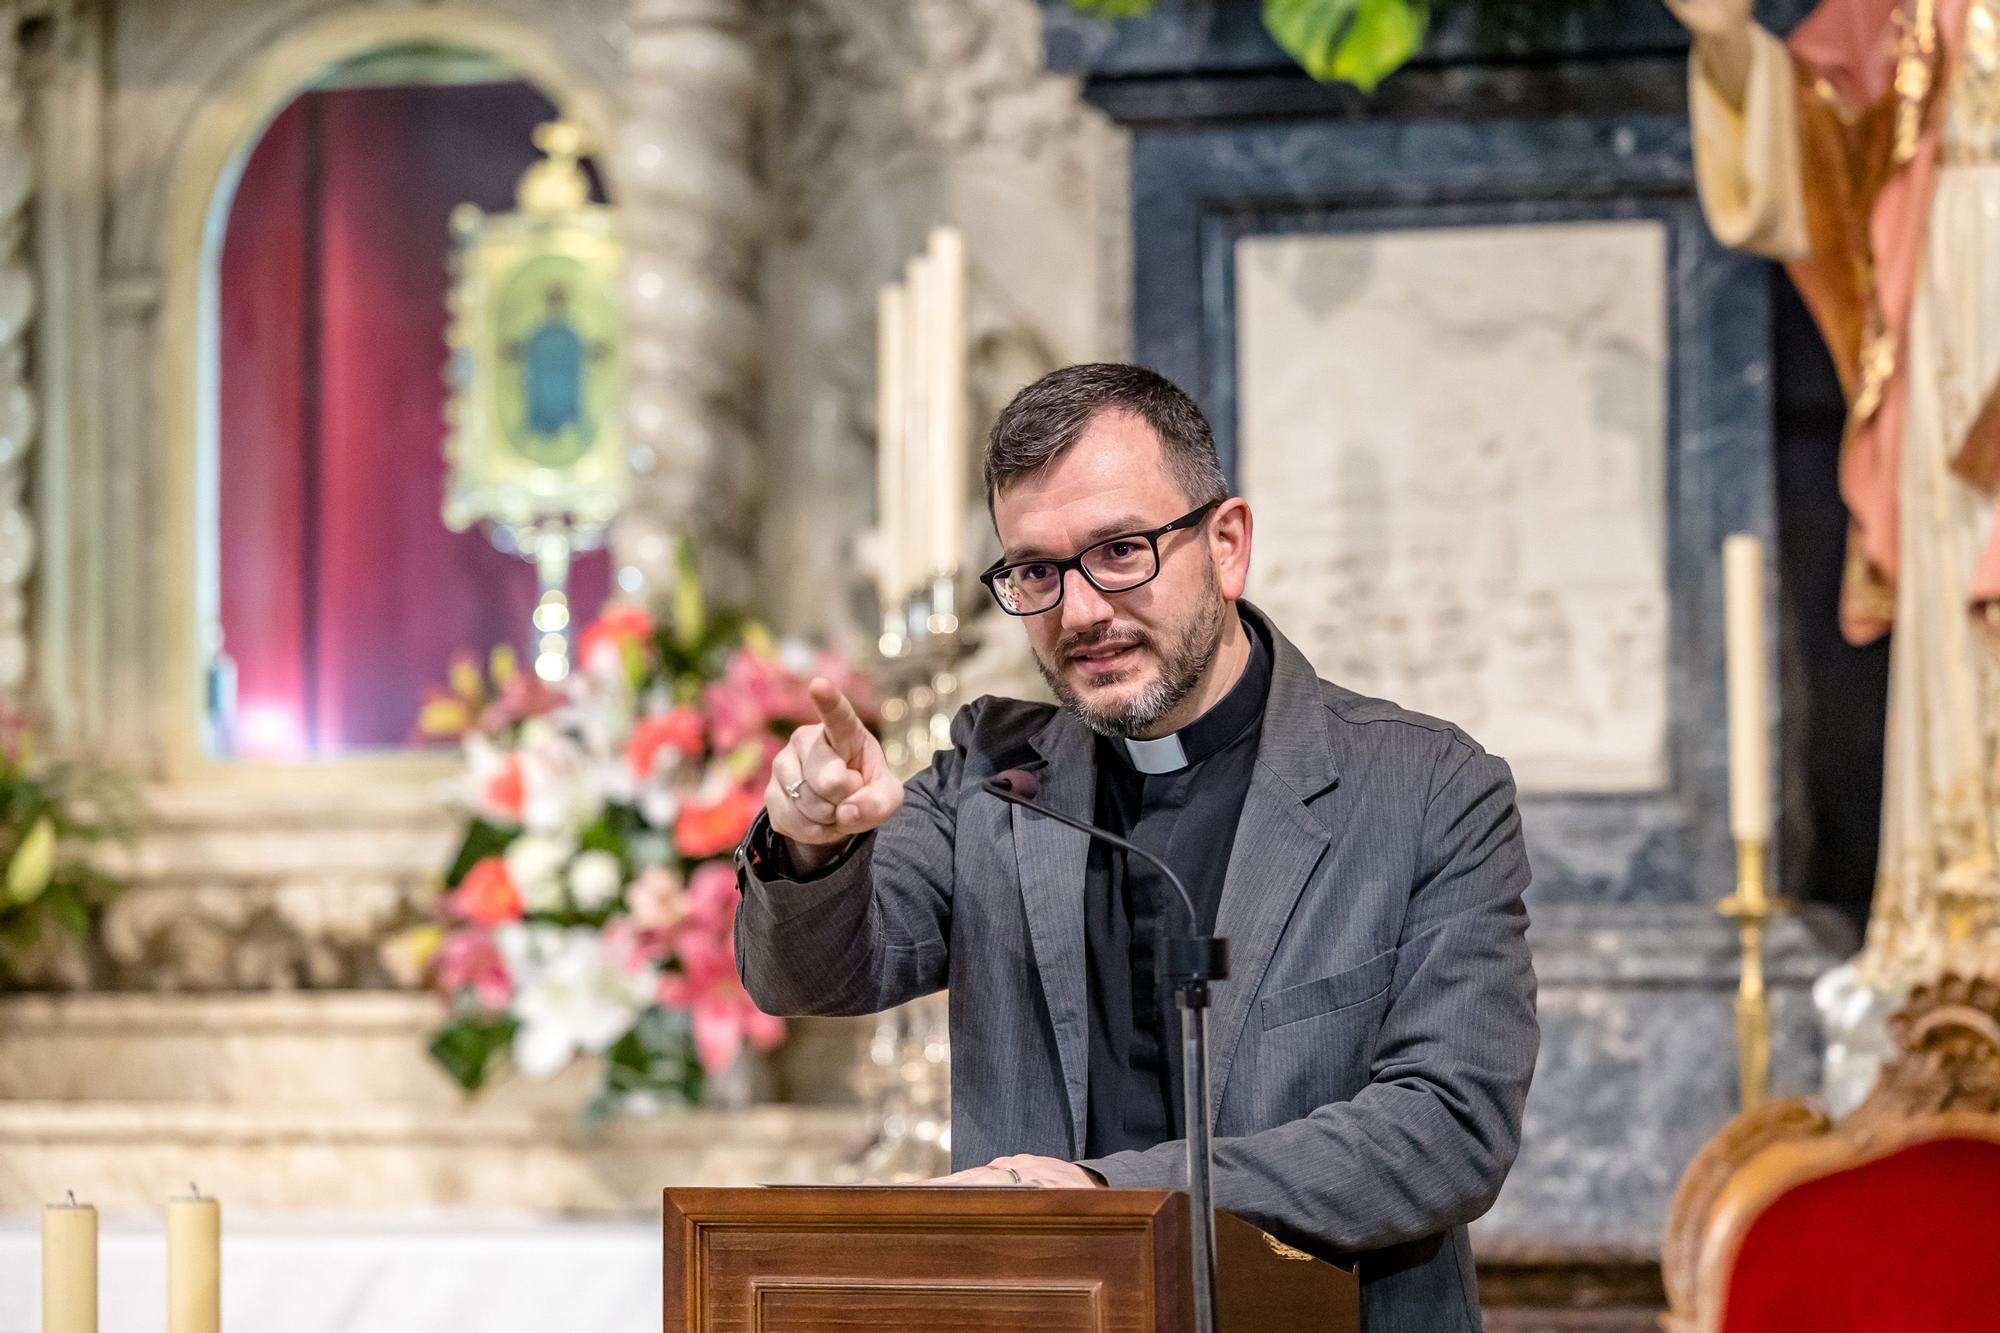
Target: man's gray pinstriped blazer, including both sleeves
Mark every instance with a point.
(1371, 1050)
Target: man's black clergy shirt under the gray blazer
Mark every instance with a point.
(1187, 820)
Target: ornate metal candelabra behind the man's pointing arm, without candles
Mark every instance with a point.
(909, 1086)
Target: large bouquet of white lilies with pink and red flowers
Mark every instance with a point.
(593, 900)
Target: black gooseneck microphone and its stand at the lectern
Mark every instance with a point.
(1189, 966)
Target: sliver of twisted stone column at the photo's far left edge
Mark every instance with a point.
(17, 397)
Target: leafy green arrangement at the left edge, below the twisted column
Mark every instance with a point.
(47, 892)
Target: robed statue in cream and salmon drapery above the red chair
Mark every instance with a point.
(1865, 153)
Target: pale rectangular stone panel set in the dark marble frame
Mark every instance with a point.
(1461, 483)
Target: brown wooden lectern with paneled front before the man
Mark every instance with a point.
(945, 1260)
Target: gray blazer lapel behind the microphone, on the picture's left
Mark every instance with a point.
(1053, 862)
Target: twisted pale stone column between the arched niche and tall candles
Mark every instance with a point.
(693, 209)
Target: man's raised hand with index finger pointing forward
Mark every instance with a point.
(831, 784)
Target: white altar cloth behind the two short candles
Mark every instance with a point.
(355, 1274)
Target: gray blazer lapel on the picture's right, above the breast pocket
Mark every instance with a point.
(1279, 842)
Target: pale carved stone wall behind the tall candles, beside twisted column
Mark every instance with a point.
(897, 117)
